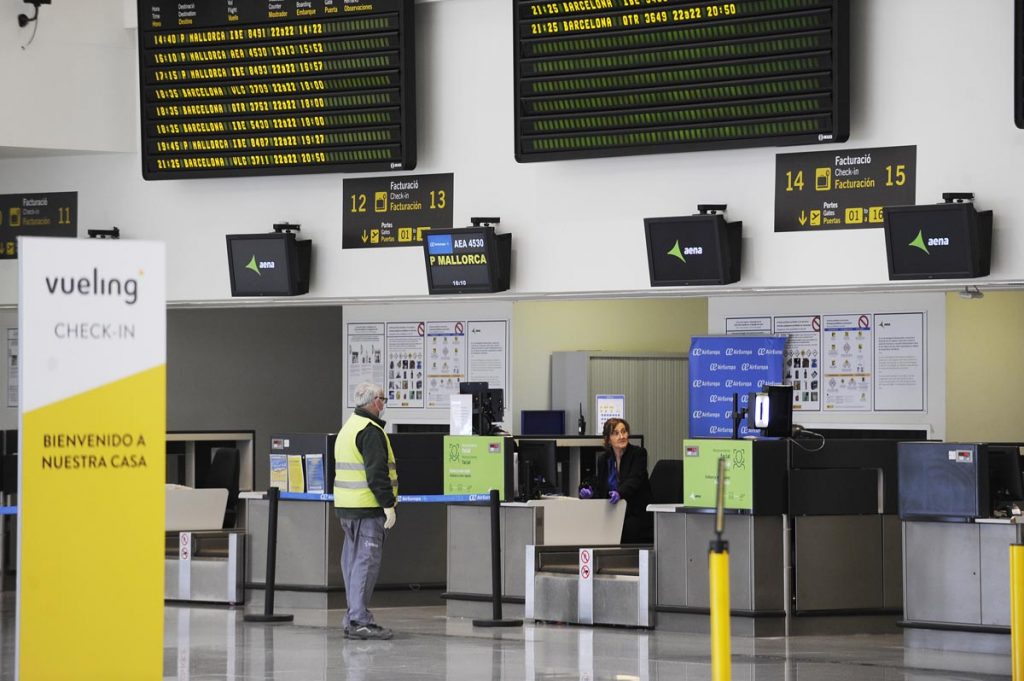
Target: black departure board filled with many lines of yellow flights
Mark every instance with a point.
(273, 88)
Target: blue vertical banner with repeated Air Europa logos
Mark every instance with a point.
(722, 366)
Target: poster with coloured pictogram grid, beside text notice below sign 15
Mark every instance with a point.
(847, 373)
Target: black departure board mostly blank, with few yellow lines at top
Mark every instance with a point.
(601, 78)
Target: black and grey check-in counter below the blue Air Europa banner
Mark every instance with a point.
(818, 549)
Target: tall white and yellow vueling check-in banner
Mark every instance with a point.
(91, 551)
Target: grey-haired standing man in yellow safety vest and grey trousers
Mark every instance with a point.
(366, 490)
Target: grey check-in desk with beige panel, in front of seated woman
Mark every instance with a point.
(556, 521)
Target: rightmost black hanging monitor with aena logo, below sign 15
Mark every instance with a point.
(941, 241)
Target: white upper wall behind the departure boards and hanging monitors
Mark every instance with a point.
(920, 77)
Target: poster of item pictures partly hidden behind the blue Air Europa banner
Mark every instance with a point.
(802, 359)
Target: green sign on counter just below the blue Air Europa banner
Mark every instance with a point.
(701, 473)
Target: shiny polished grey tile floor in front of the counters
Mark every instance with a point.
(216, 645)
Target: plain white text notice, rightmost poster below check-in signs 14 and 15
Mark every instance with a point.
(900, 358)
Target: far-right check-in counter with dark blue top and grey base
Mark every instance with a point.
(956, 555)
